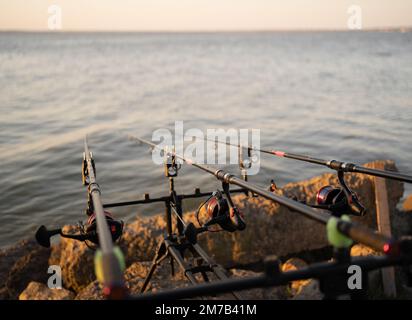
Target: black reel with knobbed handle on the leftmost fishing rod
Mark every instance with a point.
(86, 233)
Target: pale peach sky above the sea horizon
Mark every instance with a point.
(202, 15)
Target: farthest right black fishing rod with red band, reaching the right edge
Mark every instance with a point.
(332, 164)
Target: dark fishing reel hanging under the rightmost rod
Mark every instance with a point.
(341, 200)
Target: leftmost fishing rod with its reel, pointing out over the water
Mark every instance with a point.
(101, 230)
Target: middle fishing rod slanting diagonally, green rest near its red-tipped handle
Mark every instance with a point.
(336, 227)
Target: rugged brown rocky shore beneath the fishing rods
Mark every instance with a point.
(271, 229)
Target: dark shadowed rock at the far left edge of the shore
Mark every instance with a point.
(20, 264)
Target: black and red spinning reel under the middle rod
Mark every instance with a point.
(220, 211)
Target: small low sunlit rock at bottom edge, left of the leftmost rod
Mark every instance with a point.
(39, 291)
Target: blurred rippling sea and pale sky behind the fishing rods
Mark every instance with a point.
(110, 68)
